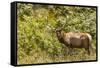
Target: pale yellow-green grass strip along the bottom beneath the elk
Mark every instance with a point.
(42, 57)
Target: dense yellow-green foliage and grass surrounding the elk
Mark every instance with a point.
(37, 41)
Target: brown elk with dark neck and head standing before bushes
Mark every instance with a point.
(74, 40)
